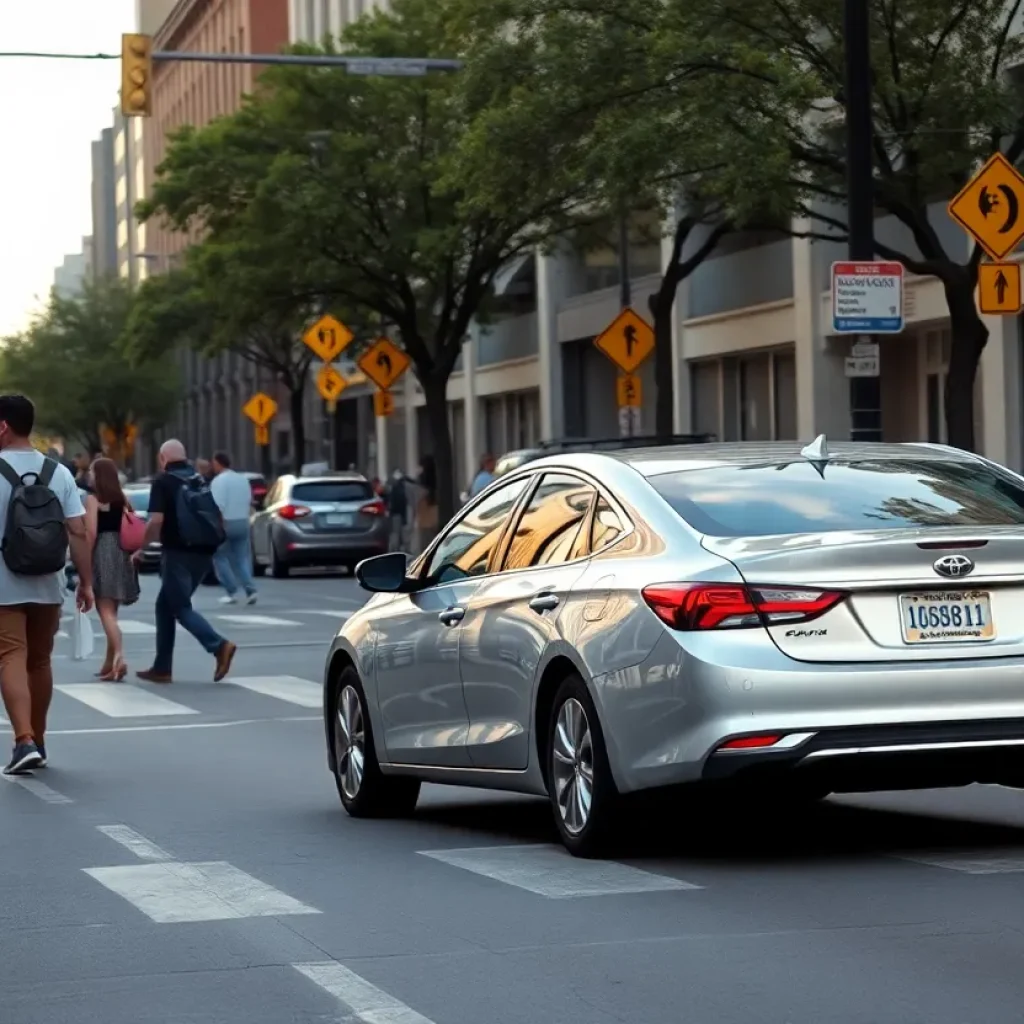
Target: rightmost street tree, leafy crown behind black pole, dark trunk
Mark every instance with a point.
(947, 95)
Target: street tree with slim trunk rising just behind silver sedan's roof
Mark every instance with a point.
(609, 97)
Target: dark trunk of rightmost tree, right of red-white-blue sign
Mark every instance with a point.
(969, 339)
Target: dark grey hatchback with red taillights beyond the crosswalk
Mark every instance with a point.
(319, 521)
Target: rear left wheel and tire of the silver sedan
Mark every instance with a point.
(584, 798)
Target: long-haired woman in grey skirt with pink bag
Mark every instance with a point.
(115, 578)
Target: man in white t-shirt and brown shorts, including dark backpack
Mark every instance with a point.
(41, 515)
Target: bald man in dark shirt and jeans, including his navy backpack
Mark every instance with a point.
(185, 518)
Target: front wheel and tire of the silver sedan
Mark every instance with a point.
(365, 791)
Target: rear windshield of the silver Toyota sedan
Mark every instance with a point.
(796, 498)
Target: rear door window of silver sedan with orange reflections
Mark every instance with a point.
(550, 524)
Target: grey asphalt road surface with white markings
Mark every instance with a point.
(186, 860)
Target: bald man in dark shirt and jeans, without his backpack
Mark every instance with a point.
(183, 570)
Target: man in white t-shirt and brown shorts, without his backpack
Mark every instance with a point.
(31, 606)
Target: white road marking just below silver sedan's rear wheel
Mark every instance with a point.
(551, 872)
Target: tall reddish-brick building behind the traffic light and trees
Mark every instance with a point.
(191, 94)
